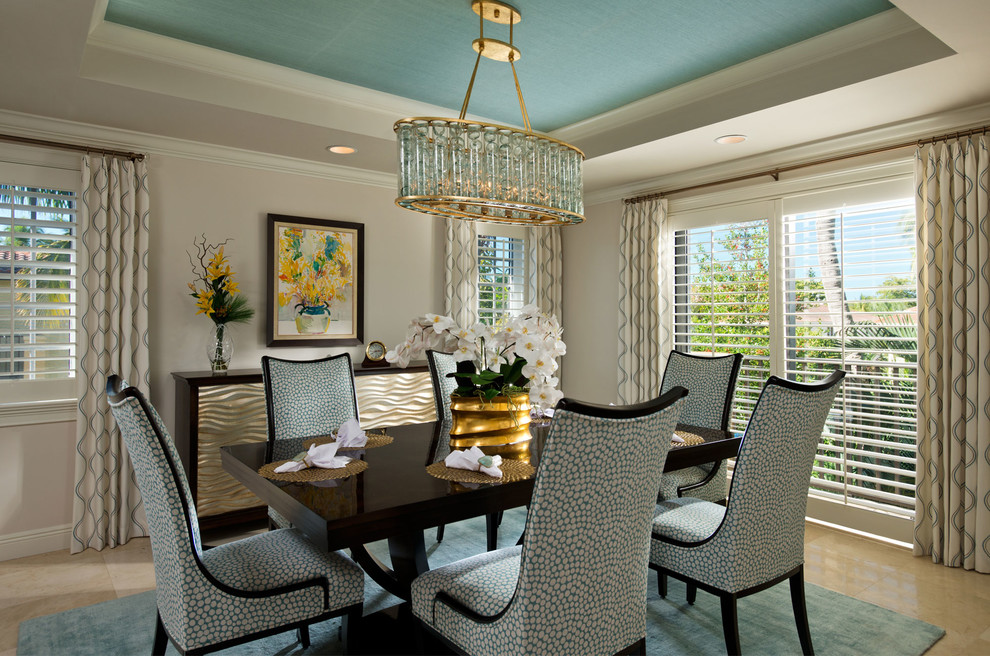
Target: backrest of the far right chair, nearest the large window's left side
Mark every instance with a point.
(710, 382)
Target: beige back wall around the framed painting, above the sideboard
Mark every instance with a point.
(403, 258)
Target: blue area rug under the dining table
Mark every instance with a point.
(840, 625)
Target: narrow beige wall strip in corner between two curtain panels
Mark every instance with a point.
(591, 305)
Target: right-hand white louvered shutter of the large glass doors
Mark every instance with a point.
(850, 300)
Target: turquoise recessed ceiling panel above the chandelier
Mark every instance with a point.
(580, 58)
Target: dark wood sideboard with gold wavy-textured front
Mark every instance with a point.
(213, 411)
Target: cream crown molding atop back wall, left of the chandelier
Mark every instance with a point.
(38, 127)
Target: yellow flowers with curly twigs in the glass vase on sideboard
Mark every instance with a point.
(217, 297)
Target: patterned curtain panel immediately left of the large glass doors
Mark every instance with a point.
(645, 307)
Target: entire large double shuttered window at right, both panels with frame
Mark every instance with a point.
(803, 283)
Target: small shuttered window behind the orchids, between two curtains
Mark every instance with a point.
(501, 276)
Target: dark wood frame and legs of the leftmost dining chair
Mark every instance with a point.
(116, 392)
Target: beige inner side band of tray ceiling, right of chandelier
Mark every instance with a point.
(851, 54)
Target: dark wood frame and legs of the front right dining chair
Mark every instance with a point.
(730, 618)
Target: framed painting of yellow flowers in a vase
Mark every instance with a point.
(315, 282)
